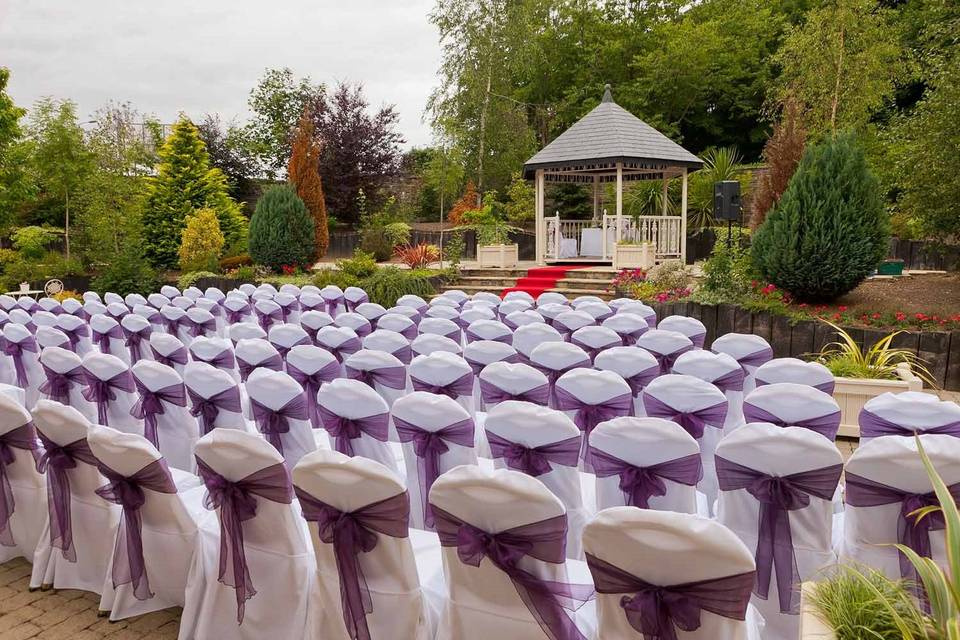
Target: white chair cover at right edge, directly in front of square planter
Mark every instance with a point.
(908, 413)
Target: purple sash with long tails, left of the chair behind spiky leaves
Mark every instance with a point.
(778, 495)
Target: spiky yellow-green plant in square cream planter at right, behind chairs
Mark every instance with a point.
(861, 375)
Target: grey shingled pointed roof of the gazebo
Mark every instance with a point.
(605, 136)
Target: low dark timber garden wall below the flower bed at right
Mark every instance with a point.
(940, 350)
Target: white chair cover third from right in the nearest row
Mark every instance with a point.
(389, 569)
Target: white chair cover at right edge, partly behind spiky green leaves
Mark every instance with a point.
(895, 462)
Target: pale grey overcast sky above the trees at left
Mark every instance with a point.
(204, 56)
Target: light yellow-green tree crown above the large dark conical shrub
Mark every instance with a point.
(841, 64)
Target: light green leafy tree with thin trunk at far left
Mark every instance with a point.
(60, 161)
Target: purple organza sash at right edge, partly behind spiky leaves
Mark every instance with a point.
(912, 531)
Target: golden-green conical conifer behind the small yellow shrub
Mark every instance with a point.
(184, 183)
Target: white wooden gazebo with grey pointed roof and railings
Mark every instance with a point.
(609, 144)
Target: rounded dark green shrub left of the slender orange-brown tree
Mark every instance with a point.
(281, 230)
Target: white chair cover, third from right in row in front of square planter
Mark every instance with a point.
(697, 406)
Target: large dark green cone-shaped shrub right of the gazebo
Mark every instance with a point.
(829, 230)
